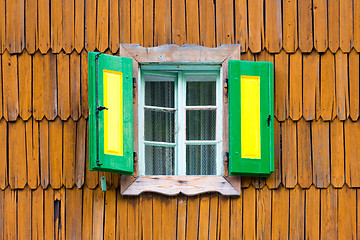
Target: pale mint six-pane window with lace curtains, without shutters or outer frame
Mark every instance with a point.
(180, 119)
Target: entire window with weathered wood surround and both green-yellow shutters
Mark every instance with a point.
(161, 117)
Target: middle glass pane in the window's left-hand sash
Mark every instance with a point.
(159, 126)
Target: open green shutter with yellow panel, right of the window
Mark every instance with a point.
(251, 116)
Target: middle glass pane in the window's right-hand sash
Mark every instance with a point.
(200, 124)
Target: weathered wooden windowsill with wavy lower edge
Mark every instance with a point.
(187, 185)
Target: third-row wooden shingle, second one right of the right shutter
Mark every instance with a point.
(289, 154)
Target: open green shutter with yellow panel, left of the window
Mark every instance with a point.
(111, 129)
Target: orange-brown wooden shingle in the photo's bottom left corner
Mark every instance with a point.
(10, 217)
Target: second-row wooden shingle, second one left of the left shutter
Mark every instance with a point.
(75, 100)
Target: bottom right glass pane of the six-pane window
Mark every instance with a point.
(201, 160)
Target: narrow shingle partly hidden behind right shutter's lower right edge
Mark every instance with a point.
(275, 178)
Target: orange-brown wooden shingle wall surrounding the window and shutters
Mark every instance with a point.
(46, 189)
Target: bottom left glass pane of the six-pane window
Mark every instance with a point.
(159, 160)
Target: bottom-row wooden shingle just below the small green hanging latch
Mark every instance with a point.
(98, 214)
